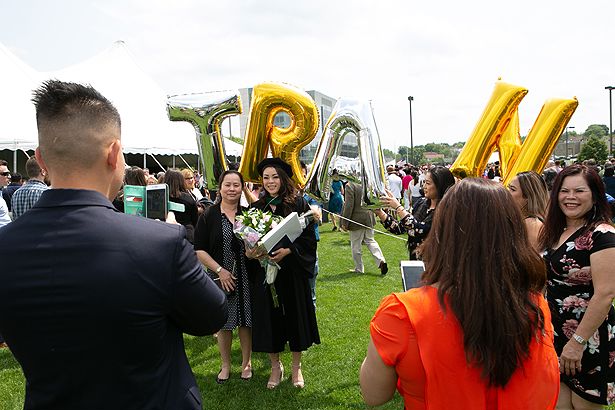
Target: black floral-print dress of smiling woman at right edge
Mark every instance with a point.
(569, 289)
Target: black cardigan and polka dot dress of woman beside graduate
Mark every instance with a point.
(214, 235)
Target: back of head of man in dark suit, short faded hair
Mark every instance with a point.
(73, 122)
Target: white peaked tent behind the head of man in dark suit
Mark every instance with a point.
(141, 102)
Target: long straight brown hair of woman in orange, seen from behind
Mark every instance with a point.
(490, 283)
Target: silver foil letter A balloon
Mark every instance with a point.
(356, 118)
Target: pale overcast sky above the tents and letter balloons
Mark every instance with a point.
(446, 54)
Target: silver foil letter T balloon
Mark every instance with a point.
(206, 112)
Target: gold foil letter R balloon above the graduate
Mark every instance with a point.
(269, 99)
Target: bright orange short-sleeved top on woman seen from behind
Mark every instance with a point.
(412, 334)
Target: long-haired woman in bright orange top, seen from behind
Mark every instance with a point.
(478, 334)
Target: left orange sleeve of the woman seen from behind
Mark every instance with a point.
(391, 330)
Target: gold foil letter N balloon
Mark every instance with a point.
(498, 128)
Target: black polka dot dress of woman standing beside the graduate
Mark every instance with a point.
(239, 313)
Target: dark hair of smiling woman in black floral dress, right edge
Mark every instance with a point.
(556, 220)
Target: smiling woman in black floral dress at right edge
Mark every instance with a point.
(580, 253)
